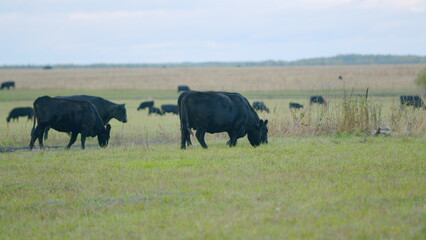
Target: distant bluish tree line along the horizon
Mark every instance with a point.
(348, 59)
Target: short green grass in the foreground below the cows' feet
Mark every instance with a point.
(310, 188)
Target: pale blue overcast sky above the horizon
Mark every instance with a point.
(159, 31)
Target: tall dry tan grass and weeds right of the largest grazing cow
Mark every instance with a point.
(348, 115)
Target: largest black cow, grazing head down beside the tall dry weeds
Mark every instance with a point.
(215, 112)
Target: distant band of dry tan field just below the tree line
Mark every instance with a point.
(219, 78)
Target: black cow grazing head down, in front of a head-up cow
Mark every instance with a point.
(68, 116)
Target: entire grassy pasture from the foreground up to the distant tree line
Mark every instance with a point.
(320, 177)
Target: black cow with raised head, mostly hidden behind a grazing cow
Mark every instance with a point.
(106, 109)
